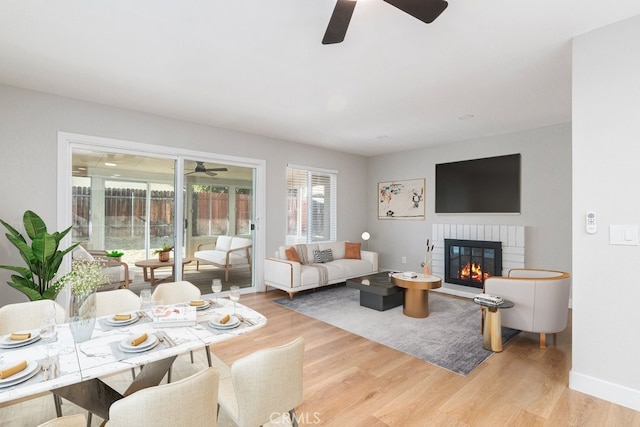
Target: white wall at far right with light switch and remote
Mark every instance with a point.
(606, 153)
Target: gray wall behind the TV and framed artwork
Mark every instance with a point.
(545, 204)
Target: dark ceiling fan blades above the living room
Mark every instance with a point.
(425, 10)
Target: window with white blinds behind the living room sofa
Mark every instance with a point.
(311, 205)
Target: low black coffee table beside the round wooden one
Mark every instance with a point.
(377, 291)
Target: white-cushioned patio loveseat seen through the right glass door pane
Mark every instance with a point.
(227, 252)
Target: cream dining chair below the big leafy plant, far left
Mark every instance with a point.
(28, 315)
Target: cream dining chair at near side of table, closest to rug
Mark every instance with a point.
(263, 386)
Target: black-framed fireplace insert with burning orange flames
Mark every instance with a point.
(470, 262)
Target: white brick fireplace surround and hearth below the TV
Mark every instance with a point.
(513, 248)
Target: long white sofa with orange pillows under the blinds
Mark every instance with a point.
(293, 276)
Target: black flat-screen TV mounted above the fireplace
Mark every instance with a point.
(489, 185)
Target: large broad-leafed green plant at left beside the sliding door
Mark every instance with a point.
(42, 257)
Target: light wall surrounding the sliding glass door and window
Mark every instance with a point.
(30, 122)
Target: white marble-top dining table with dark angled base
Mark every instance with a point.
(73, 370)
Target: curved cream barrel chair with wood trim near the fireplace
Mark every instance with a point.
(540, 298)
